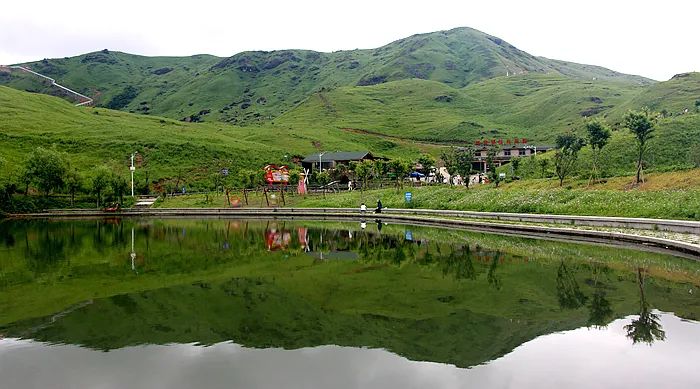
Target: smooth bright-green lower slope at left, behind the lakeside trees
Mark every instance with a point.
(94, 136)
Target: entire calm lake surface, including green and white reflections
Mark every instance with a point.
(255, 304)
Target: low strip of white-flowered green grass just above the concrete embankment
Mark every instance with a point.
(663, 204)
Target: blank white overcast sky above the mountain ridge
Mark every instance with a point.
(656, 39)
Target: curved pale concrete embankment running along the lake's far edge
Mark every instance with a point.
(578, 228)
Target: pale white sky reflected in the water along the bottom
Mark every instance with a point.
(602, 359)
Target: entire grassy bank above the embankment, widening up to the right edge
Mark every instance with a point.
(665, 195)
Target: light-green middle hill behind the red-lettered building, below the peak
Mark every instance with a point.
(535, 106)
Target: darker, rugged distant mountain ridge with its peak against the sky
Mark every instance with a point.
(259, 86)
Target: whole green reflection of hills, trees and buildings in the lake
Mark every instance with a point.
(452, 297)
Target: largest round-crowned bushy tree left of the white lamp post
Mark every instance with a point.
(47, 168)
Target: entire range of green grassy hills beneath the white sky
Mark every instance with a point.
(410, 96)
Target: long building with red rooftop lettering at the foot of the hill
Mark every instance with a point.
(506, 150)
